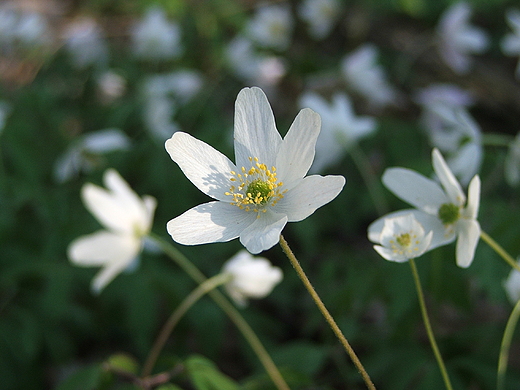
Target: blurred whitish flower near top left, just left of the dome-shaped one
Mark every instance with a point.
(85, 44)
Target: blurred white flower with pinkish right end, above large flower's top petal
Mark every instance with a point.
(255, 68)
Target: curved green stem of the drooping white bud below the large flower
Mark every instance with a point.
(202, 289)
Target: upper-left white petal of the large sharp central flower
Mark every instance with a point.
(208, 169)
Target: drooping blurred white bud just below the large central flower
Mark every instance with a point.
(253, 277)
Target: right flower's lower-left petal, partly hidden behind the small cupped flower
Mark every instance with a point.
(441, 236)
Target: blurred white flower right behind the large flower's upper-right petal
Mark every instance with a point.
(340, 127)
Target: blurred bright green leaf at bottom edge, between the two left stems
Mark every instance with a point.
(206, 376)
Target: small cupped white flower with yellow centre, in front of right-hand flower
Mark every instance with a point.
(402, 239)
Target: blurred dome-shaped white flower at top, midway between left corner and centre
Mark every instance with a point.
(155, 38)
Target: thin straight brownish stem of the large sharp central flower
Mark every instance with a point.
(330, 320)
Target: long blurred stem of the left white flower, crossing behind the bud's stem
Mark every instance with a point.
(233, 314)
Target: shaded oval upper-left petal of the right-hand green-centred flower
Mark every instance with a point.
(415, 189)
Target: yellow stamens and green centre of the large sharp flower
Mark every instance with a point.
(255, 188)
